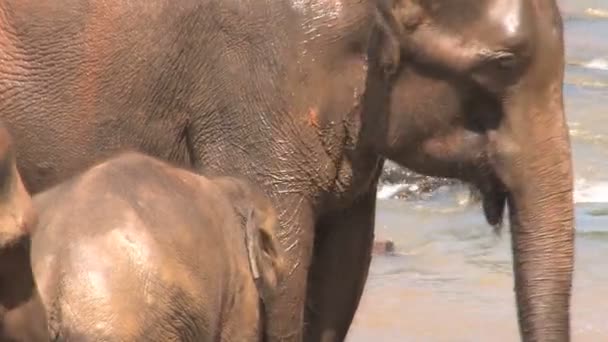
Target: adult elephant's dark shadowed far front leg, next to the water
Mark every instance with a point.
(341, 260)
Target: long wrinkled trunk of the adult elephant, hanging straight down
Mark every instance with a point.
(533, 159)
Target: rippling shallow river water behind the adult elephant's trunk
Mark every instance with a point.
(451, 278)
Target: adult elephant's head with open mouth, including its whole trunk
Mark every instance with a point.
(476, 94)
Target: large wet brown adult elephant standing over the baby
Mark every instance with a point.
(307, 98)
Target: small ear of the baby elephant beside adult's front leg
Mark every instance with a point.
(265, 254)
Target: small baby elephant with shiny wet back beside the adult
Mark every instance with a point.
(137, 250)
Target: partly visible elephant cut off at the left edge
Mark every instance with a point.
(22, 316)
